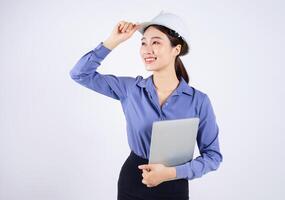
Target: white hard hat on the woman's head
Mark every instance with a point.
(171, 21)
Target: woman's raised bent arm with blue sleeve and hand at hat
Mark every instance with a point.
(85, 71)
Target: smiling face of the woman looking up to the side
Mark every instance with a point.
(156, 50)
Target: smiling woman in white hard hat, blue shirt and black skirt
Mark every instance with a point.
(164, 95)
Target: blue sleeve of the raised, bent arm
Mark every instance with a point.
(85, 73)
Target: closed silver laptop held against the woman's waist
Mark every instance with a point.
(173, 141)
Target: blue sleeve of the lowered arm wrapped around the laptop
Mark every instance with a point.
(208, 144)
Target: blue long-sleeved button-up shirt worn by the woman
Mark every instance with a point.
(140, 104)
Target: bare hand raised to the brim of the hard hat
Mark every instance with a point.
(121, 32)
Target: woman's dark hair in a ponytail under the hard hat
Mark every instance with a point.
(175, 39)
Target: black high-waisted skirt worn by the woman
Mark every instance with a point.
(130, 186)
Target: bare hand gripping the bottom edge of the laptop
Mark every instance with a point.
(154, 174)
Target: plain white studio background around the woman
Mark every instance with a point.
(59, 140)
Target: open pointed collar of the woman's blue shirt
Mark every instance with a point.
(183, 86)
